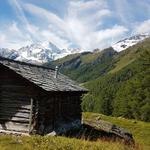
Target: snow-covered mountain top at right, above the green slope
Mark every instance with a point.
(128, 42)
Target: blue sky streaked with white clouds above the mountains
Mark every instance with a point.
(85, 24)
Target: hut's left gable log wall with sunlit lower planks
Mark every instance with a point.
(15, 96)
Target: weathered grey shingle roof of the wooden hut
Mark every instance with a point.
(42, 76)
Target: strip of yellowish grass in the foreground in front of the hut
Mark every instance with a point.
(56, 143)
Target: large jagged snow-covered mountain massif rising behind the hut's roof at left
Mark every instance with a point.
(40, 52)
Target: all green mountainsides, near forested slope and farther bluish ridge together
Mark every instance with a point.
(118, 83)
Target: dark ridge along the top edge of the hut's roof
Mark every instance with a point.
(25, 63)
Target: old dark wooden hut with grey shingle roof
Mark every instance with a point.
(37, 99)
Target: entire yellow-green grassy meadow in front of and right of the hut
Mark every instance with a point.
(140, 130)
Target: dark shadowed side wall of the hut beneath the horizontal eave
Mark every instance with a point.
(58, 107)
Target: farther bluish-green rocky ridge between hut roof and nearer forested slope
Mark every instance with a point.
(85, 66)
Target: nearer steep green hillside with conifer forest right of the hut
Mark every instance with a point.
(125, 90)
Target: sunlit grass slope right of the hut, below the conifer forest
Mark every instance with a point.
(139, 129)
